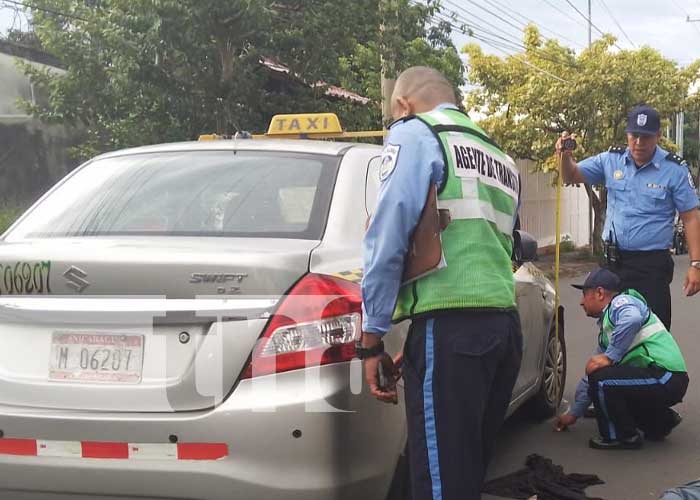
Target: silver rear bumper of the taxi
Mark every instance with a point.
(320, 441)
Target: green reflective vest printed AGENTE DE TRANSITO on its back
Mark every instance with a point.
(481, 187)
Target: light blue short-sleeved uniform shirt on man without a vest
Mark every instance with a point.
(642, 202)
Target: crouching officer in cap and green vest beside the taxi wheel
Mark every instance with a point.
(638, 371)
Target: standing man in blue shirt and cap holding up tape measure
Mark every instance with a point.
(646, 185)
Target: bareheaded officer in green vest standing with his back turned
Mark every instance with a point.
(464, 345)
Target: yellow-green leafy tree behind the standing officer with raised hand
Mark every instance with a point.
(530, 98)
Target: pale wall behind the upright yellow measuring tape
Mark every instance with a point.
(538, 207)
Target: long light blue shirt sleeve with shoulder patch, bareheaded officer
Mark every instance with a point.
(411, 162)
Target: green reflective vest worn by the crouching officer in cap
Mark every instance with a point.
(652, 345)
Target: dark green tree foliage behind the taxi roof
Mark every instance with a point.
(147, 71)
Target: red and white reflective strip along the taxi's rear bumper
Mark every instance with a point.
(113, 450)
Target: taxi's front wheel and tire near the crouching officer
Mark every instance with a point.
(546, 401)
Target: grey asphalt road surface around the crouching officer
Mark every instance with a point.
(628, 475)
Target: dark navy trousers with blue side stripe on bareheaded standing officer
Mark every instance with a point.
(459, 370)
